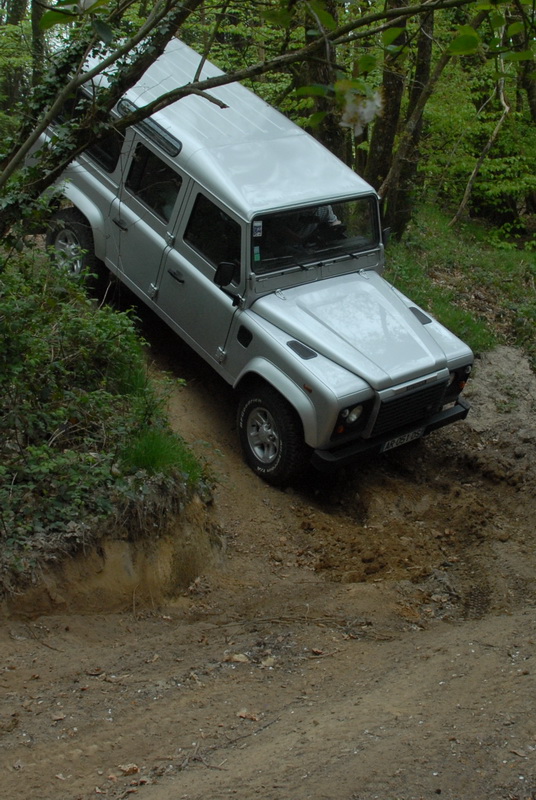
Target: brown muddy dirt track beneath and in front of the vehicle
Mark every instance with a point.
(370, 635)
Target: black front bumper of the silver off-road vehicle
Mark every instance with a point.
(348, 453)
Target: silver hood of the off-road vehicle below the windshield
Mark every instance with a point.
(361, 323)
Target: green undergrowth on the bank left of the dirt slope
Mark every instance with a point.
(74, 401)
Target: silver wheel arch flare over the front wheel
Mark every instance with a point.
(261, 371)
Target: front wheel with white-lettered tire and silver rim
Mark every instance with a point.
(271, 436)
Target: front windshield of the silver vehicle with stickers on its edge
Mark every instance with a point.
(317, 233)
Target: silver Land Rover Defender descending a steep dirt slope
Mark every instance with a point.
(264, 253)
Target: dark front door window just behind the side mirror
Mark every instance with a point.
(213, 233)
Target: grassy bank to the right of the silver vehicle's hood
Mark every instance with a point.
(485, 294)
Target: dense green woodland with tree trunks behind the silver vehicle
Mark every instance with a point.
(430, 101)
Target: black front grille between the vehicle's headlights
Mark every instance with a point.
(403, 410)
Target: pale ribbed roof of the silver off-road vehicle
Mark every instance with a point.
(248, 154)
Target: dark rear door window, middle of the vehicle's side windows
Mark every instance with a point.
(153, 182)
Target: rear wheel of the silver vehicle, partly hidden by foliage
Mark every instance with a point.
(69, 235)
